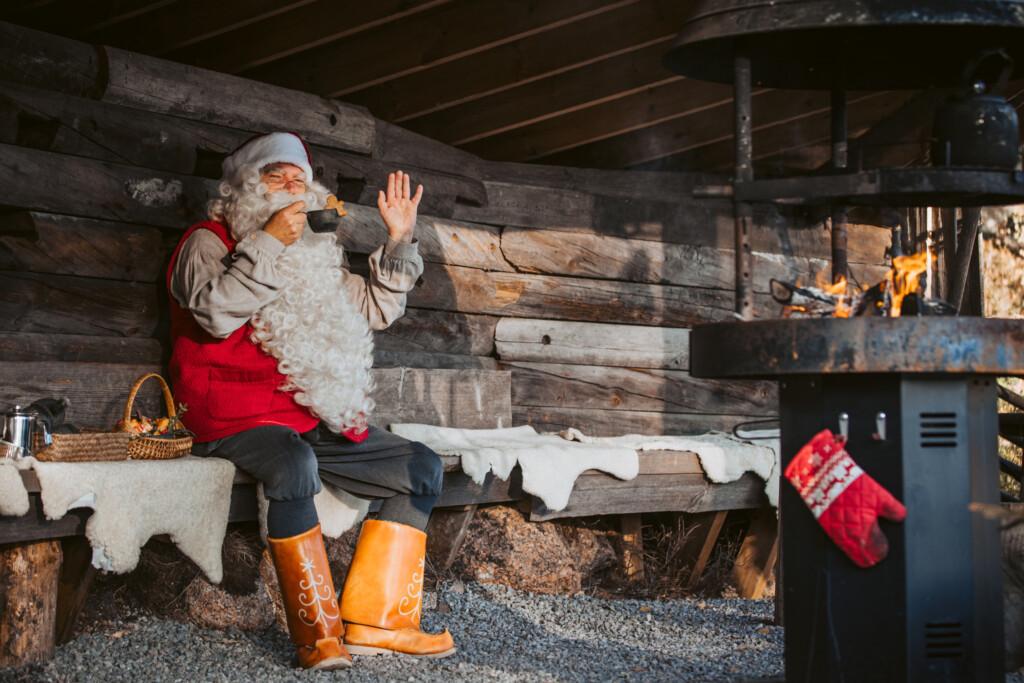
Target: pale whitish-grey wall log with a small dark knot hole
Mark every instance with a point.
(592, 344)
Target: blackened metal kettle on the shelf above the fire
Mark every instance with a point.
(977, 129)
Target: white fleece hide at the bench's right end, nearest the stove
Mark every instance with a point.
(723, 458)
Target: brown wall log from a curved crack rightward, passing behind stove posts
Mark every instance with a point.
(589, 255)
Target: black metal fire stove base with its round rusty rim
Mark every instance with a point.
(917, 400)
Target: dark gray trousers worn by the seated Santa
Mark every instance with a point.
(407, 475)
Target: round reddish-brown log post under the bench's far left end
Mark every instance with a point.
(29, 576)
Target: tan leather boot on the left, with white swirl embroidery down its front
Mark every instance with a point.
(311, 604)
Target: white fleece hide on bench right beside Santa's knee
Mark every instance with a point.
(550, 464)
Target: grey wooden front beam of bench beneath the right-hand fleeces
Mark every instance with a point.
(655, 493)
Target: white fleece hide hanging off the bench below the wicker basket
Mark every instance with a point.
(135, 500)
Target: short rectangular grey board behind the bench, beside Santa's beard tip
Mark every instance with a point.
(473, 399)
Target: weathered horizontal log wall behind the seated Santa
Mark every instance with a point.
(582, 283)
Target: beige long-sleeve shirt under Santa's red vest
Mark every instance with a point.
(224, 290)
